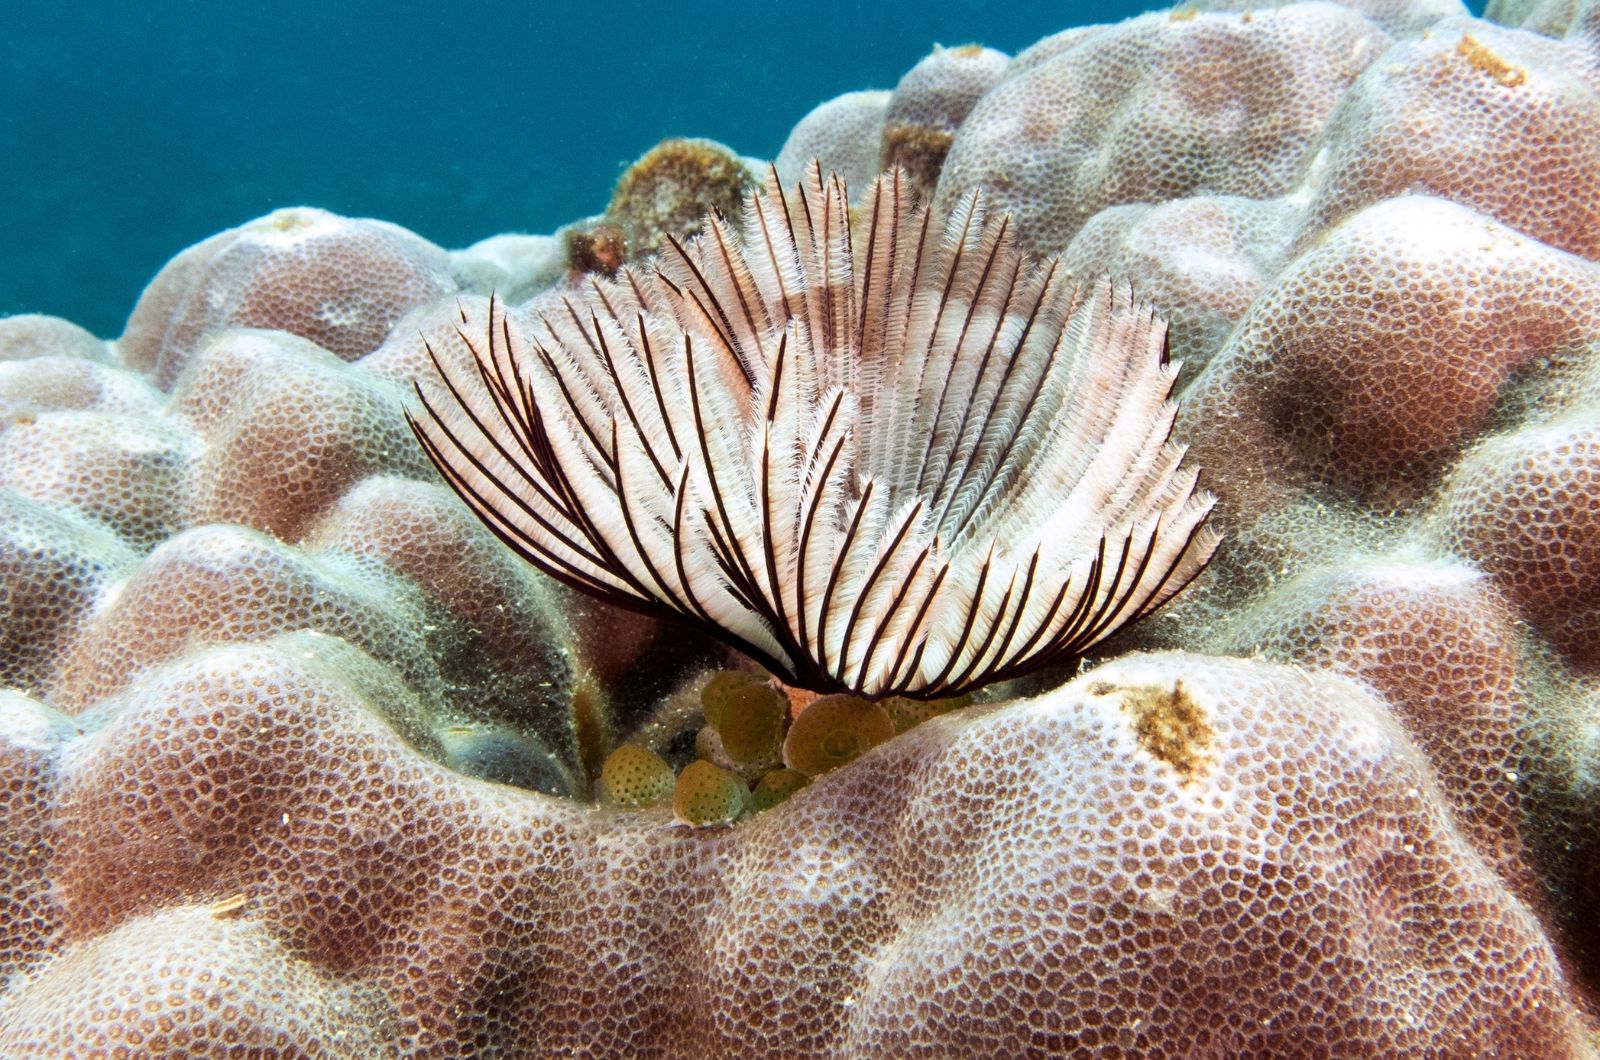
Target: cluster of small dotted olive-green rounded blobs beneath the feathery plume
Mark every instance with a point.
(751, 755)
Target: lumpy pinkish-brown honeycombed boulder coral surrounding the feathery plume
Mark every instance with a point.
(298, 760)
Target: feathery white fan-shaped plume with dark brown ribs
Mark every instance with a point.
(882, 457)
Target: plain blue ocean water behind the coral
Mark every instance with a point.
(130, 132)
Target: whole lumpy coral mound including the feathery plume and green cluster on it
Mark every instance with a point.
(297, 758)
